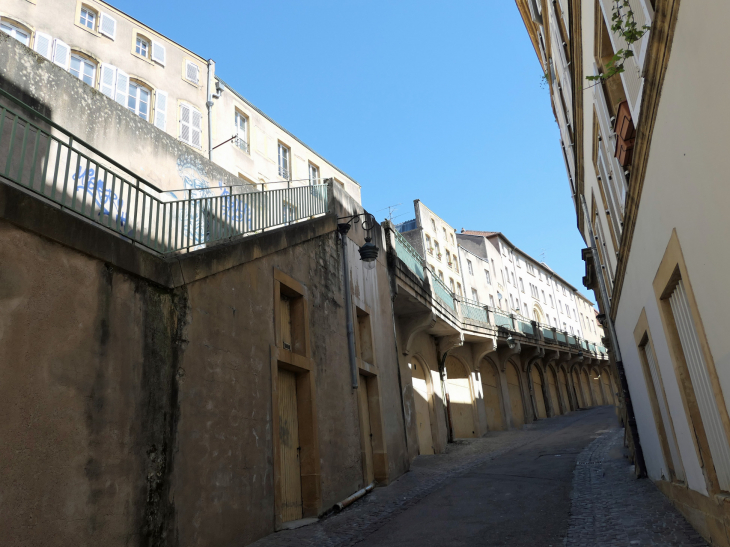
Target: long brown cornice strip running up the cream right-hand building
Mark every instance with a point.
(660, 46)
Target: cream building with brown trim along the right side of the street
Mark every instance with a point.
(644, 152)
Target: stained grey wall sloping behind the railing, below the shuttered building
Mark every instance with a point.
(113, 129)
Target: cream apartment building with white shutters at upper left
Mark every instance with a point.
(171, 87)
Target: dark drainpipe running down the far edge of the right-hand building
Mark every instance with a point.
(631, 417)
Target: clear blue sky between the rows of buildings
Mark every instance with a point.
(439, 101)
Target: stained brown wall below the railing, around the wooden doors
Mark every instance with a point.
(139, 408)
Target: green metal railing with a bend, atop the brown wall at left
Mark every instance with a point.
(55, 164)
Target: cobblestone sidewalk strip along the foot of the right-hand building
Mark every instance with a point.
(611, 508)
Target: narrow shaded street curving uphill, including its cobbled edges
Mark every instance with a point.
(561, 481)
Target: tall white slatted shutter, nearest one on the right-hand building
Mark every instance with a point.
(701, 384)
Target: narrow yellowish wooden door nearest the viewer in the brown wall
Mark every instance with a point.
(291, 480)
